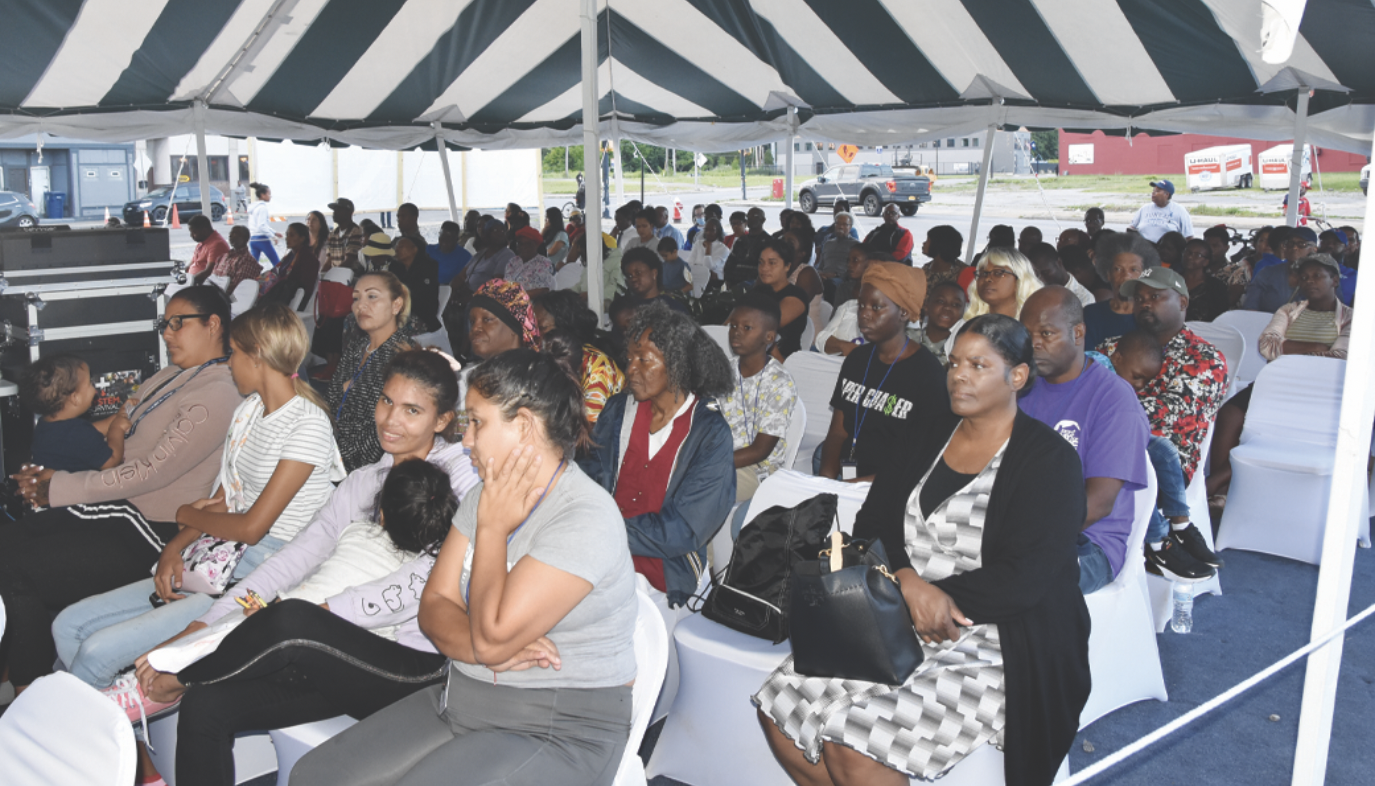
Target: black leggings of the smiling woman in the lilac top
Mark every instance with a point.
(289, 664)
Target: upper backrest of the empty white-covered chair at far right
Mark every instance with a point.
(1297, 398)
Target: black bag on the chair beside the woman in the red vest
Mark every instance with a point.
(751, 596)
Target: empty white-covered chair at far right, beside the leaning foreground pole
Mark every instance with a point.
(1282, 471)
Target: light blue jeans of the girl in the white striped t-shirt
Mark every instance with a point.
(102, 636)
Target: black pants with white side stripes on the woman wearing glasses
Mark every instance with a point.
(56, 559)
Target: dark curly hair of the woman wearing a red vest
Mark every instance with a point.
(695, 362)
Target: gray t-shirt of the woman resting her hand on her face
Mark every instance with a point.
(577, 530)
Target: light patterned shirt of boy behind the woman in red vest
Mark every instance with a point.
(761, 405)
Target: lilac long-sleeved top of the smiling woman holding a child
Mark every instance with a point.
(394, 600)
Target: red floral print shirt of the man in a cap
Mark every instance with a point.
(1185, 396)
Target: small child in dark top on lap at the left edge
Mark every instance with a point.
(58, 390)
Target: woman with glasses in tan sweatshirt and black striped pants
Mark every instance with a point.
(107, 528)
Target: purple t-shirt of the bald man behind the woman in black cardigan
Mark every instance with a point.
(1099, 414)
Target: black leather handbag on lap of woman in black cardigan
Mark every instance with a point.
(850, 619)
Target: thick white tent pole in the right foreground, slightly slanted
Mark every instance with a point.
(1344, 515)
